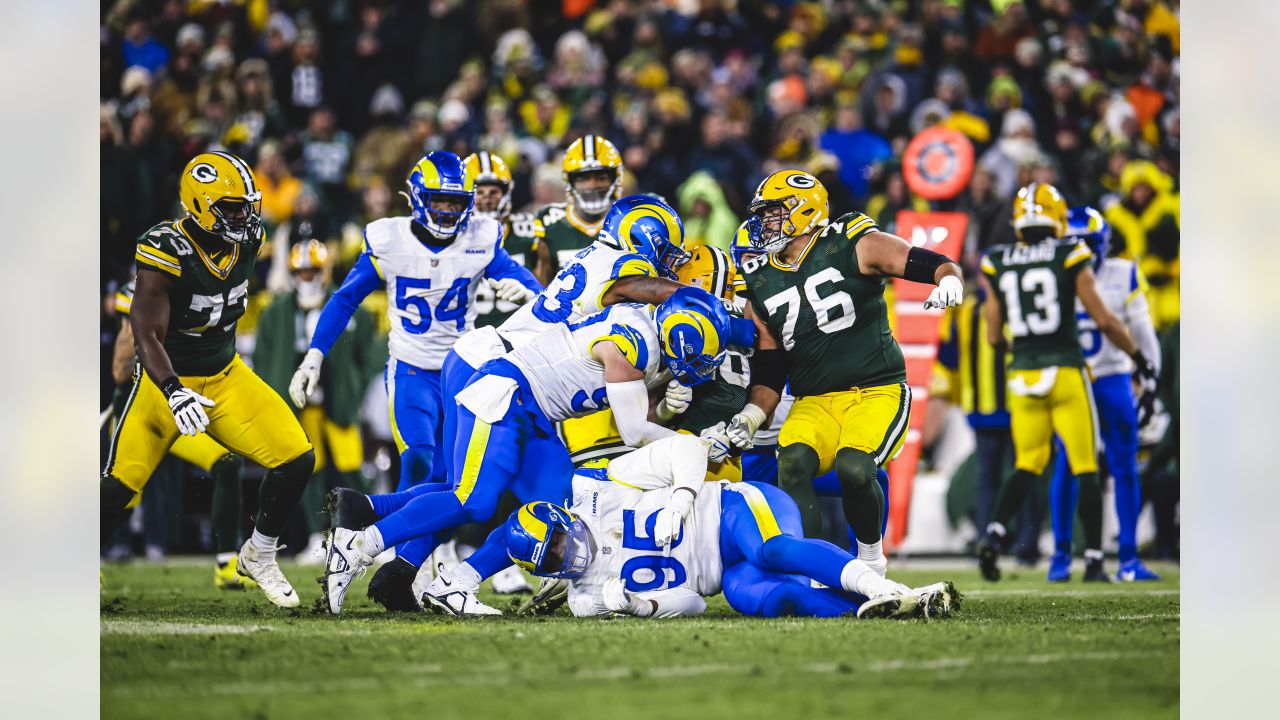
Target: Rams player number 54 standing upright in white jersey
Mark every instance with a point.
(432, 265)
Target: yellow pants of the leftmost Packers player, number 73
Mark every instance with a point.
(248, 418)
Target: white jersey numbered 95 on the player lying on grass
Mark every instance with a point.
(621, 509)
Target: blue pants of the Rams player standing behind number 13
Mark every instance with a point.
(1118, 417)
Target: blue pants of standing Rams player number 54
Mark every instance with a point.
(417, 405)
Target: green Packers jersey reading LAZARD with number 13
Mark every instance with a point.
(1036, 289)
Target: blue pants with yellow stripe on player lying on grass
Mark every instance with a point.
(770, 577)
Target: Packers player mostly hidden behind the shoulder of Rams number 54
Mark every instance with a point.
(522, 236)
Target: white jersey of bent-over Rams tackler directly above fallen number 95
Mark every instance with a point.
(568, 381)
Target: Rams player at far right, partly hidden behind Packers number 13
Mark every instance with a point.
(1123, 290)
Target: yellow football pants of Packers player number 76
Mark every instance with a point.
(872, 420)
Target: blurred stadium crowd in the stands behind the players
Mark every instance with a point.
(333, 101)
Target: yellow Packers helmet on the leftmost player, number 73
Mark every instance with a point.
(218, 192)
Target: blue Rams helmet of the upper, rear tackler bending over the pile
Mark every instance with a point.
(647, 226)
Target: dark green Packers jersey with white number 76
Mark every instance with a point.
(831, 318)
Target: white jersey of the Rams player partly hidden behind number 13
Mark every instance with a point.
(1123, 290)
